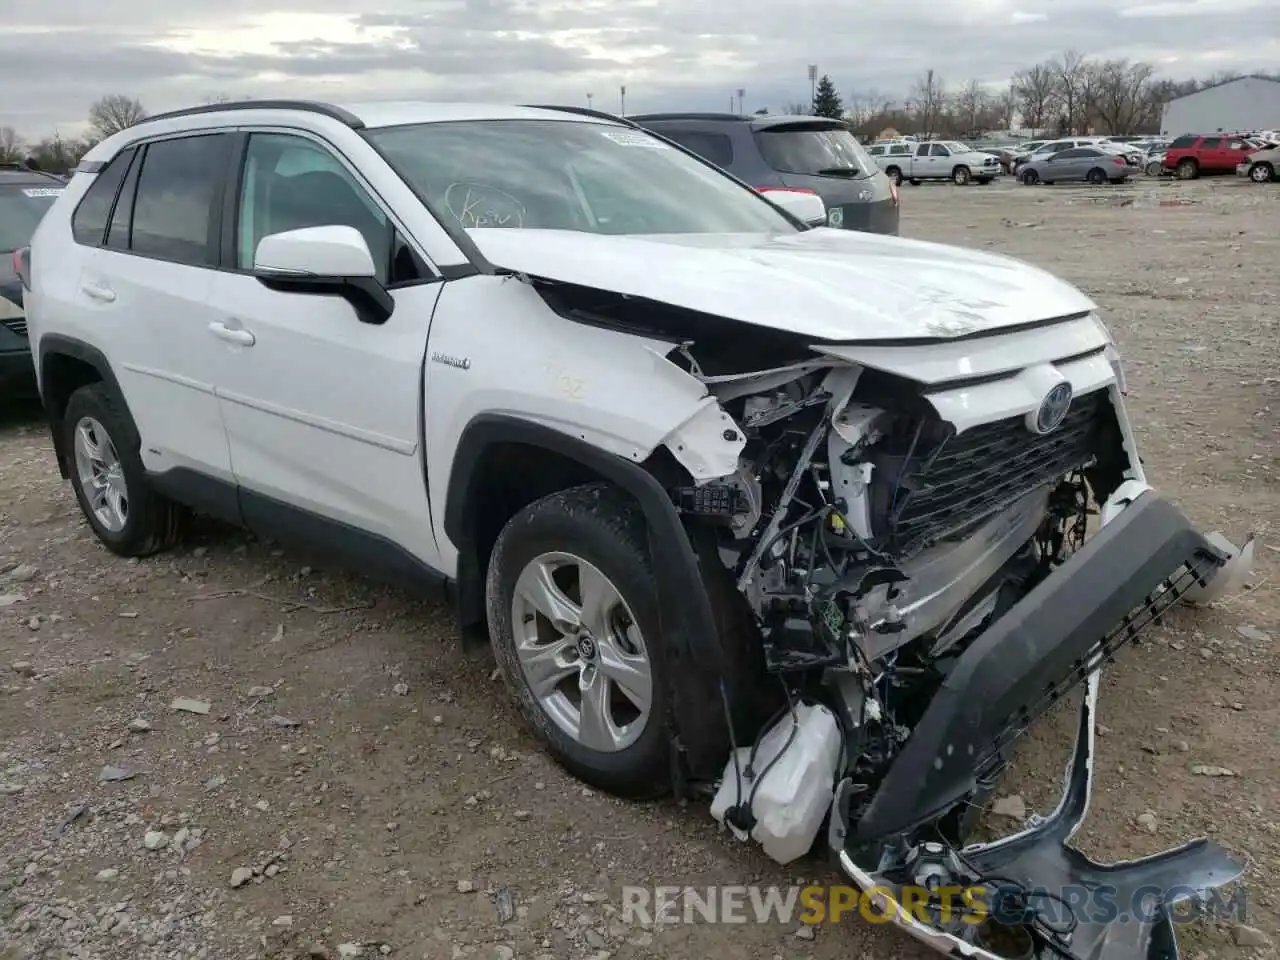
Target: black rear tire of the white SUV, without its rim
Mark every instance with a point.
(153, 523)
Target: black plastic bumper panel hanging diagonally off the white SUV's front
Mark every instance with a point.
(1025, 657)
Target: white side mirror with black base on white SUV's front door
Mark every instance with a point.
(324, 262)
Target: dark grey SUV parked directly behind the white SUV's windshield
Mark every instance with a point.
(789, 154)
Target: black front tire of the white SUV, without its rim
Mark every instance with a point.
(604, 527)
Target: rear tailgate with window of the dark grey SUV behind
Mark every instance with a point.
(822, 156)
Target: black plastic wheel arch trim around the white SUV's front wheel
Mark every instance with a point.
(696, 656)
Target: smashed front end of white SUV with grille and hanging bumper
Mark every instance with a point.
(936, 543)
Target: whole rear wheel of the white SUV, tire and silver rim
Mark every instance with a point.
(109, 479)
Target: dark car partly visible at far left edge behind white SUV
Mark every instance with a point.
(25, 196)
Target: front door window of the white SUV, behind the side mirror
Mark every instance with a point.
(291, 184)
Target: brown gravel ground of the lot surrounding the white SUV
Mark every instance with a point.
(350, 784)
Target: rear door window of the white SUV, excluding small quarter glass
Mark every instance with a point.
(179, 193)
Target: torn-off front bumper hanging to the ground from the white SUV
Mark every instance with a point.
(1145, 560)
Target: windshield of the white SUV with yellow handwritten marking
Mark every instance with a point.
(570, 176)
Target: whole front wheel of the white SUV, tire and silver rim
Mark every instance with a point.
(574, 623)
